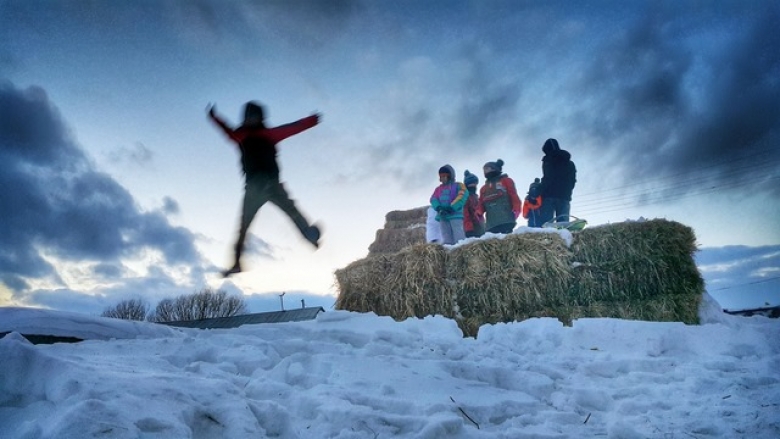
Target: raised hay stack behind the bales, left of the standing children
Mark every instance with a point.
(402, 229)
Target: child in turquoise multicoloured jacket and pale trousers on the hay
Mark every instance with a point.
(448, 200)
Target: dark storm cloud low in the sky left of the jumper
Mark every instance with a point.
(55, 201)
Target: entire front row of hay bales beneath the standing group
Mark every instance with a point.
(640, 270)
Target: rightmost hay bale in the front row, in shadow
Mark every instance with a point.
(636, 270)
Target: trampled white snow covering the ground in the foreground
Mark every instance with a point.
(351, 375)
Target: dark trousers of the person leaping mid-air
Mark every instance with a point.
(259, 190)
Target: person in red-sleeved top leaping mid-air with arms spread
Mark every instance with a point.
(257, 144)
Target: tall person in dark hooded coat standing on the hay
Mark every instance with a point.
(559, 175)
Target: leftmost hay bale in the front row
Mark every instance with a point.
(409, 283)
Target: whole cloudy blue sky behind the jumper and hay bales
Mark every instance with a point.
(116, 186)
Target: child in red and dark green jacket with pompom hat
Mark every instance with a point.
(498, 199)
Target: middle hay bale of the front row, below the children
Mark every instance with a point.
(511, 278)
